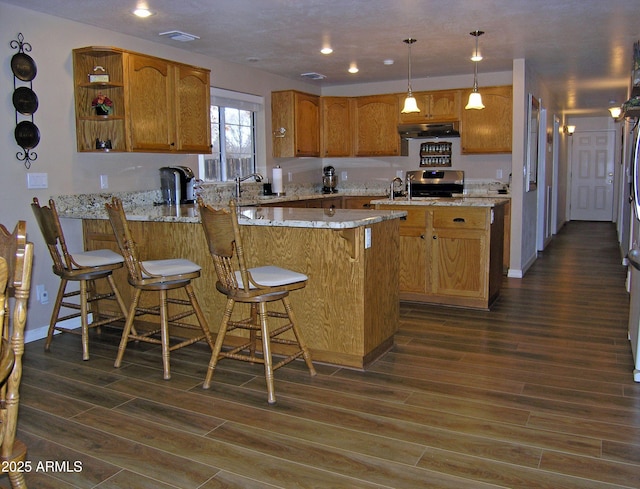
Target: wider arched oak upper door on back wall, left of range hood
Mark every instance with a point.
(376, 125)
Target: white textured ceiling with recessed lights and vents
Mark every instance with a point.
(580, 49)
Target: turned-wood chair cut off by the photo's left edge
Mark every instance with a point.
(17, 255)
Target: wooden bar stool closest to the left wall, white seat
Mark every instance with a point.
(87, 269)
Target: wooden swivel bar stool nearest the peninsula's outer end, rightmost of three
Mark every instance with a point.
(259, 287)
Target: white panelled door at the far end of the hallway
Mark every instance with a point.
(592, 176)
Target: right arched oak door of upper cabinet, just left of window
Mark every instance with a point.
(193, 101)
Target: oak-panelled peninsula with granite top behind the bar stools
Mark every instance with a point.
(349, 310)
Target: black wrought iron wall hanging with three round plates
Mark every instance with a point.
(25, 100)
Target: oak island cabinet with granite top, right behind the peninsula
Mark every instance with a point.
(451, 255)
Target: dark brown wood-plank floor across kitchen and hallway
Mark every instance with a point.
(538, 393)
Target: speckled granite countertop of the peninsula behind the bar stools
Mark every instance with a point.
(248, 215)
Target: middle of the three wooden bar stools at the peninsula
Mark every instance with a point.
(158, 276)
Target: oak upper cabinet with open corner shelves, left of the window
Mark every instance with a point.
(158, 105)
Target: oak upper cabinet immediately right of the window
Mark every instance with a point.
(295, 122)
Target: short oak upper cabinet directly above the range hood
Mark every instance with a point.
(437, 106)
